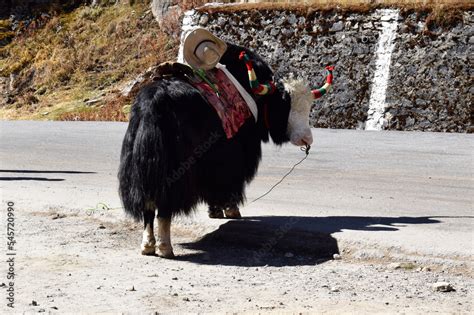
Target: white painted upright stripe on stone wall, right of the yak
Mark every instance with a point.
(383, 54)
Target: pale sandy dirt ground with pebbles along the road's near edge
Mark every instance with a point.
(69, 261)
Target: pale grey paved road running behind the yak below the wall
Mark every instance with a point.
(406, 192)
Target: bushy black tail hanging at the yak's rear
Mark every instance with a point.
(140, 173)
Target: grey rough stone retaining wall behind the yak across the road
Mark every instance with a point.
(430, 82)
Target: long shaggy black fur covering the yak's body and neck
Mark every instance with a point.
(175, 153)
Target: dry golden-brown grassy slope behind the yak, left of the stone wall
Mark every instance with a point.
(81, 55)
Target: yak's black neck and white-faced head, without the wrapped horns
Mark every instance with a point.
(284, 114)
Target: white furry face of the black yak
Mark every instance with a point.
(298, 120)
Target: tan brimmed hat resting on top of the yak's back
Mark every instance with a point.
(203, 50)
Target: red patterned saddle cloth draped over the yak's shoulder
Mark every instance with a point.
(228, 103)
